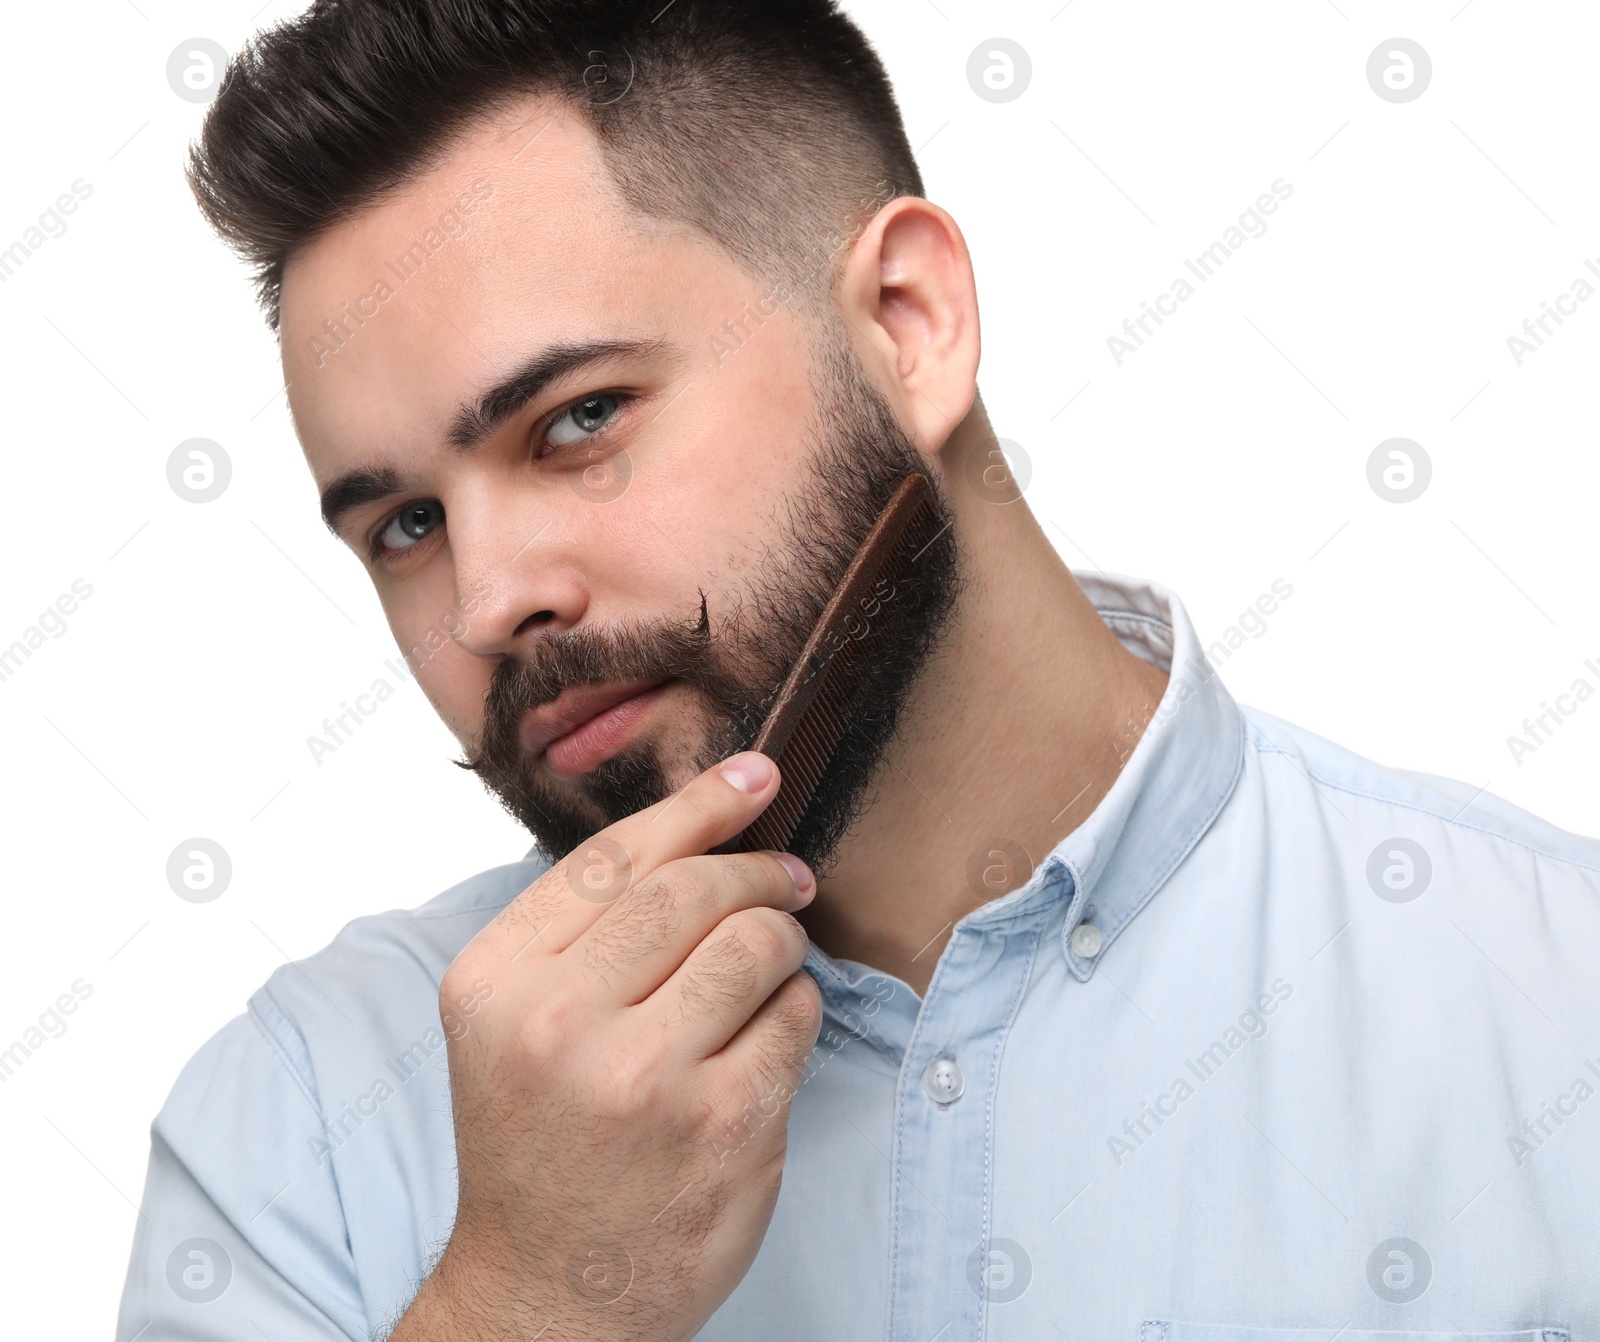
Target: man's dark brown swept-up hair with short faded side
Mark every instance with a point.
(767, 127)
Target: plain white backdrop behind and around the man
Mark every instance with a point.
(1230, 452)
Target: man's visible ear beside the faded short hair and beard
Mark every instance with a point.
(910, 298)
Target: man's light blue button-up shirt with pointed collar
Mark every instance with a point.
(1278, 1045)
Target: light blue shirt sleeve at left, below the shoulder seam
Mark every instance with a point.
(242, 1232)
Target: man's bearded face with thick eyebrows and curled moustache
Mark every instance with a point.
(650, 517)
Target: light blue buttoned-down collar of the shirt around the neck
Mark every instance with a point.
(1174, 785)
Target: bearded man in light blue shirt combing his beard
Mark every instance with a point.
(1087, 1004)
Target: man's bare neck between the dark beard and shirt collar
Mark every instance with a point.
(1014, 733)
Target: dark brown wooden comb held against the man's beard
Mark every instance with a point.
(807, 721)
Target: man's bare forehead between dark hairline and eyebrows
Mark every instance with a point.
(514, 239)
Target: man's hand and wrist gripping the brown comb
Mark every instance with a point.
(622, 1095)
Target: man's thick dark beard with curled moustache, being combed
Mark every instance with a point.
(858, 457)
